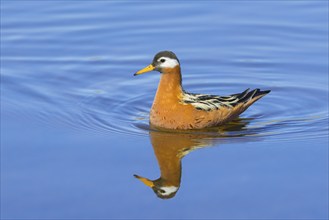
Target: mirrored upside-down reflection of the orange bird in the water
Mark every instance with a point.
(171, 147)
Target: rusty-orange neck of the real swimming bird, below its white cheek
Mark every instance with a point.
(170, 85)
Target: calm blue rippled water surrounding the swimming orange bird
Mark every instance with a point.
(74, 120)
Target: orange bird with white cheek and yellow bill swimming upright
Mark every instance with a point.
(174, 108)
